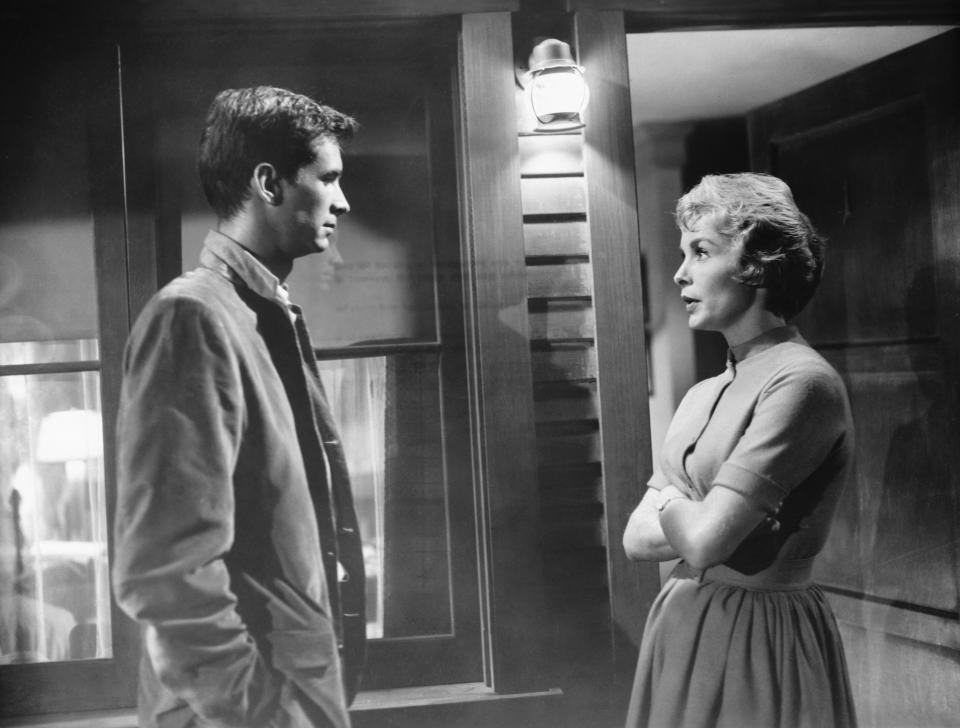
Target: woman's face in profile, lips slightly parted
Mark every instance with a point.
(713, 299)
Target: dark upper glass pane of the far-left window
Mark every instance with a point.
(47, 282)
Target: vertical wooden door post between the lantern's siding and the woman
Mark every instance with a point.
(617, 296)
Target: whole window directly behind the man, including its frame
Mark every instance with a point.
(385, 314)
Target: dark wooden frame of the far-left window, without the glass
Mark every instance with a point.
(102, 684)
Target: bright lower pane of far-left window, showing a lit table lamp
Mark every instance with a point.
(54, 594)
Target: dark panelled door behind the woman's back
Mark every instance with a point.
(874, 158)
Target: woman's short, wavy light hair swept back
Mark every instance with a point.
(780, 250)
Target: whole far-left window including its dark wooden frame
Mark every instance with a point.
(58, 340)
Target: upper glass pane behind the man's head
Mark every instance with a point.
(377, 283)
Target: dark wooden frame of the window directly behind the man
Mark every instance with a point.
(154, 221)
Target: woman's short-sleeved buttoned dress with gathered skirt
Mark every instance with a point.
(753, 642)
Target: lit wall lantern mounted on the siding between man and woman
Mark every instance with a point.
(558, 91)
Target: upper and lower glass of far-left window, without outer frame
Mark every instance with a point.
(53, 565)
